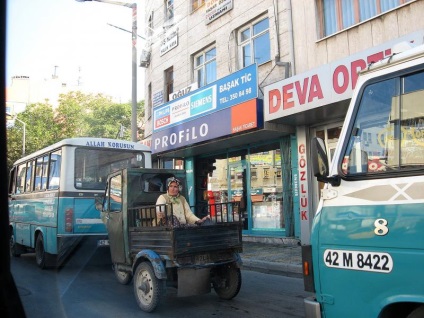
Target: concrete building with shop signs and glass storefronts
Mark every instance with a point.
(235, 89)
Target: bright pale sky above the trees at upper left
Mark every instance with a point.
(75, 37)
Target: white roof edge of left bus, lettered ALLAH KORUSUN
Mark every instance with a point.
(92, 142)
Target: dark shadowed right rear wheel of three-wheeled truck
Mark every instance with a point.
(227, 283)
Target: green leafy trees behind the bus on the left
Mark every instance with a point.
(77, 115)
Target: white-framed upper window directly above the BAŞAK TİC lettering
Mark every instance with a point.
(255, 44)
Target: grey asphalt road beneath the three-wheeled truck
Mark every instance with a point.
(86, 287)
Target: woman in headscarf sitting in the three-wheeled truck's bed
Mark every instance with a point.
(182, 213)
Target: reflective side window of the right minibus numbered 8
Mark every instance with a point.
(388, 133)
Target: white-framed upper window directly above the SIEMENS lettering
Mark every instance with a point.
(205, 67)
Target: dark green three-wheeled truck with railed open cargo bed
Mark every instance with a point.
(191, 258)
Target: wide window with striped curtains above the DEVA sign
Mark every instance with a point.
(338, 15)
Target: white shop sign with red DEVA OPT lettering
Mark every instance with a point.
(324, 85)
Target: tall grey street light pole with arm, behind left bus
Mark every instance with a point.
(133, 6)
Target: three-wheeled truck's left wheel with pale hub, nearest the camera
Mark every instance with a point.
(148, 289)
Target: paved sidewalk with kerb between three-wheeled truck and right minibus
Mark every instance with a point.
(283, 258)
